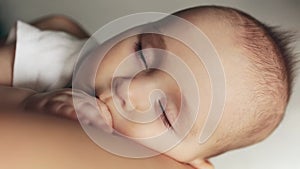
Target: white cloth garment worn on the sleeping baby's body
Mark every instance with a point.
(44, 60)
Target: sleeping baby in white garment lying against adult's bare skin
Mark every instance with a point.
(256, 61)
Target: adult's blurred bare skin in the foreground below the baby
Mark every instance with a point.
(37, 140)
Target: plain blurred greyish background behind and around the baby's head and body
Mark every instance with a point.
(281, 150)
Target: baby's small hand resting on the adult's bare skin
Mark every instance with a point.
(60, 102)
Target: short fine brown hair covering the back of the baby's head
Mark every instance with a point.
(272, 67)
